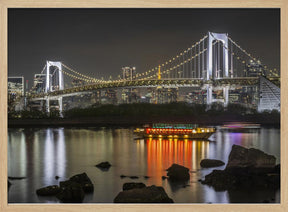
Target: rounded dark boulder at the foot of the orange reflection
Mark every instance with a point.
(178, 173)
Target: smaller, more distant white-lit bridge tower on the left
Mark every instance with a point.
(59, 83)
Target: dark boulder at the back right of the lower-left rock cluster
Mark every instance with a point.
(82, 179)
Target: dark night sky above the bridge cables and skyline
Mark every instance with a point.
(98, 42)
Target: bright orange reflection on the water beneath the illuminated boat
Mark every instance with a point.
(162, 153)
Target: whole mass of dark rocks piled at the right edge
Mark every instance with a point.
(246, 169)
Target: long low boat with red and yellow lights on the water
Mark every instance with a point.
(182, 131)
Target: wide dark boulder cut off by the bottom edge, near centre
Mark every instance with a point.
(151, 194)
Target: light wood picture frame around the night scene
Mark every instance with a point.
(5, 4)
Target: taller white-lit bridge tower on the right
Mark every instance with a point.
(222, 37)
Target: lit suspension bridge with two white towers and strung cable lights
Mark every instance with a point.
(215, 62)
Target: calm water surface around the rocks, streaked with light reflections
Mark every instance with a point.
(42, 153)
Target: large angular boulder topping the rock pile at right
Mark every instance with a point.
(254, 158)
